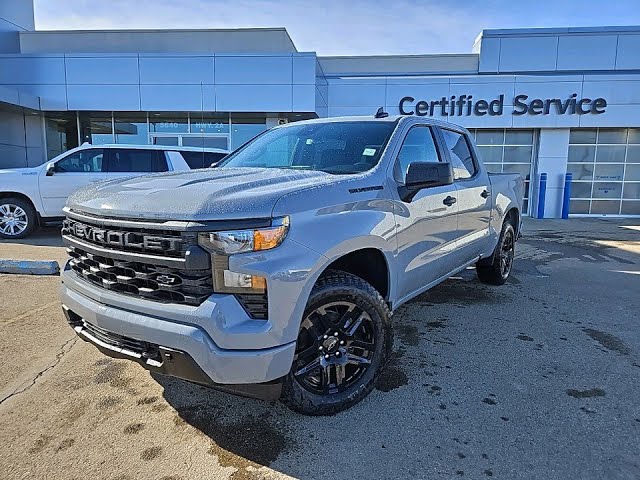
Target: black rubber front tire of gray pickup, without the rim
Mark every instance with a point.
(336, 286)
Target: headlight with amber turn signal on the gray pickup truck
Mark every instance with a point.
(241, 241)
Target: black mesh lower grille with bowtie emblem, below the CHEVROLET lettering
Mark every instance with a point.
(162, 284)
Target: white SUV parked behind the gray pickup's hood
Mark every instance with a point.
(35, 196)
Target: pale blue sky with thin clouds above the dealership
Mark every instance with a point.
(347, 27)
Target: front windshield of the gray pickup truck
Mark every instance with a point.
(332, 147)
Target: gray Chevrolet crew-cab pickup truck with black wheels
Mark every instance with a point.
(274, 274)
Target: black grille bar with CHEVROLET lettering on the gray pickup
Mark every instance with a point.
(120, 239)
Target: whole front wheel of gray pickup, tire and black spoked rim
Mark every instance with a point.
(344, 342)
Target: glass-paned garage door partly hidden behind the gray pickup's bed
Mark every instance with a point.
(508, 151)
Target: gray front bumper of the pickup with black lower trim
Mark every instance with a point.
(195, 356)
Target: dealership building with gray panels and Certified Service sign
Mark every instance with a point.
(553, 100)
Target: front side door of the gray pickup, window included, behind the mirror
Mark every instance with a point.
(426, 225)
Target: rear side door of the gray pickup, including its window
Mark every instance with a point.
(473, 195)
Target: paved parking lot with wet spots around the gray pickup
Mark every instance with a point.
(538, 379)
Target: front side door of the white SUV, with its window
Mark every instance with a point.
(76, 170)
